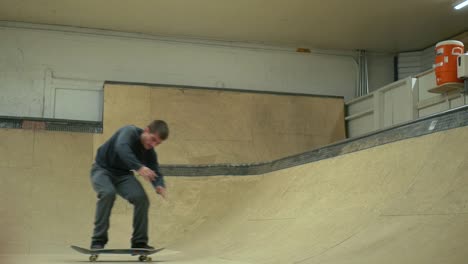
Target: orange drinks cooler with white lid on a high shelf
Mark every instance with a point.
(446, 61)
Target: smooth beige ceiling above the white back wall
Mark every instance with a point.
(375, 25)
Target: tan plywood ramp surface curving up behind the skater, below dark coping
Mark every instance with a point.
(404, 202)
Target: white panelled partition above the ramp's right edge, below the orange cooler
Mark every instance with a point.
(401, 101)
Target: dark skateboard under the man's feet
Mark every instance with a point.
(142, 252)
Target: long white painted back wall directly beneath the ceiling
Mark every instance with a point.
(29, 52)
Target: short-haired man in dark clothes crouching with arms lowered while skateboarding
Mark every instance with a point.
(130, 149)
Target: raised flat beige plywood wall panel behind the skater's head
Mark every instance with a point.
(209, 127)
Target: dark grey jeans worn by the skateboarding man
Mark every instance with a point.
(107, 186)
